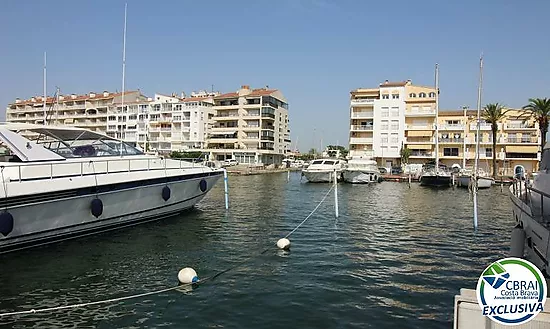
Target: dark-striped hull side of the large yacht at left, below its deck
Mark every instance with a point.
(39, 222)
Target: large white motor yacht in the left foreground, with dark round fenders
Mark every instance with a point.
(65, 182)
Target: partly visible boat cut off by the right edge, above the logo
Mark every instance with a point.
(531, 211)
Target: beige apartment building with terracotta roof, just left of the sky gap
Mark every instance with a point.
(251, 126)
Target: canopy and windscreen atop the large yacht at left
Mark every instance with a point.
(50, 143)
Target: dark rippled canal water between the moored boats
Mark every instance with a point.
(395, 257)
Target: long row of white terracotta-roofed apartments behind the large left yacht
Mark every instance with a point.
(163, 123)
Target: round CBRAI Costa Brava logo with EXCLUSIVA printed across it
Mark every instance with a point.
(511, 291)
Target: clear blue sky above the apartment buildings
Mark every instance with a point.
(314, 51)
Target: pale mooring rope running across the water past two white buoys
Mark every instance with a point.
(160, 291)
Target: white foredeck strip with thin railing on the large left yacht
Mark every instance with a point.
(21, 171)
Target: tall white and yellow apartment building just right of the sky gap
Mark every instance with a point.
(383, 118)
